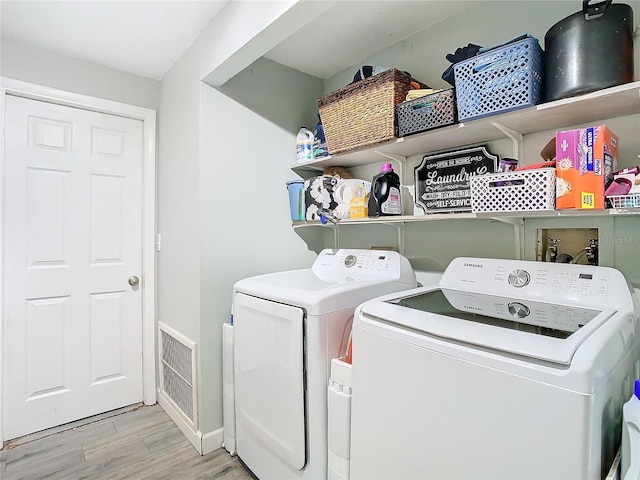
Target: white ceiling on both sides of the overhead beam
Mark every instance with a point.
(147, 37)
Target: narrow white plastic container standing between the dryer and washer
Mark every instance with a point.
(339, 420)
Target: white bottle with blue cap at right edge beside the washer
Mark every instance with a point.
(630, 457)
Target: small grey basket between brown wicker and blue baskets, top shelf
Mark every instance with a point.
(424, 113)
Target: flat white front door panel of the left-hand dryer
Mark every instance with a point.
(269, 379)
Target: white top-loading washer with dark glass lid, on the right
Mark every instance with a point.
(505, 370)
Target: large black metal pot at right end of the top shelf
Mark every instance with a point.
(589, 50)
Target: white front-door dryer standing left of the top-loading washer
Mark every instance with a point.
(287, 328)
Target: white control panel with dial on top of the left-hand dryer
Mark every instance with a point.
(362, 264)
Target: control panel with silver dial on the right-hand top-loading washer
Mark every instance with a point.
(580, 284)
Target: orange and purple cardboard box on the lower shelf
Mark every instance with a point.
(585, 161)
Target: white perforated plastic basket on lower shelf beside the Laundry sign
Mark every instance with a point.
(523, 190)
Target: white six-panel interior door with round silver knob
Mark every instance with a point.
(73, 223)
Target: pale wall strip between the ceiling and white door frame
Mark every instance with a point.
(42, 67)
